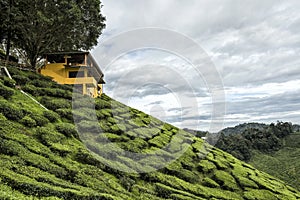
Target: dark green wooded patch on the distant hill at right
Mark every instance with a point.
(241, 140)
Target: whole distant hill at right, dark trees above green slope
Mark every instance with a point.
(273, 148)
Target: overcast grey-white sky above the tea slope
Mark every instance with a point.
(254, 45)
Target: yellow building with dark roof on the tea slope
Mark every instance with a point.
(75, 68)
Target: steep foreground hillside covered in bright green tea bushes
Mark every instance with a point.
(42, 154)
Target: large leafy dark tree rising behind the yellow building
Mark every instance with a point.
(55, 25)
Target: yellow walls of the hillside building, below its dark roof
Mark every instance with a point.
(60, 74)
